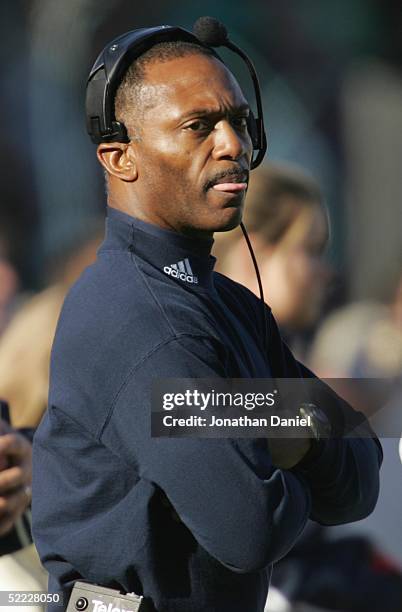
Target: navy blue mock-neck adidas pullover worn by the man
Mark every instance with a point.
(193, 524)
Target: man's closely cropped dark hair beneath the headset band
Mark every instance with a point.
(128, 95)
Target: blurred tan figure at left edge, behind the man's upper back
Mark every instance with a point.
(25, 345)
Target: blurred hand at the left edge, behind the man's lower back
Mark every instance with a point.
(15, 476)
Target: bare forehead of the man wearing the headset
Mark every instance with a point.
(183, 84)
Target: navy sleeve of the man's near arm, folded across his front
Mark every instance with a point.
(238, 506)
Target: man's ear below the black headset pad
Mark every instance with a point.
(118, 159)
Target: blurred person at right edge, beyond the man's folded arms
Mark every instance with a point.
(363, 341)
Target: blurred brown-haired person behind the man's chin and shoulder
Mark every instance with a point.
(289, 229)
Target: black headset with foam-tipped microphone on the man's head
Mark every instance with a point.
(118, 55)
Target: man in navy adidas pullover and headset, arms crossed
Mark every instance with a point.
(191, 524)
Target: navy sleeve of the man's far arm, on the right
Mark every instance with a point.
(343, 472)
